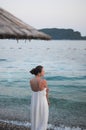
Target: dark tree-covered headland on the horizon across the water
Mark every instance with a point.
(63, 34)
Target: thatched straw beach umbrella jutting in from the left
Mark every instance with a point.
(13, 28)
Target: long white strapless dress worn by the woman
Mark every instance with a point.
(39, 110)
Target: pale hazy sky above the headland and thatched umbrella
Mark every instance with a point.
(49, 13)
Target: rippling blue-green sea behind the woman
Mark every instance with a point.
(64, 62)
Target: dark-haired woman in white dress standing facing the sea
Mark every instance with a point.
(39, 100)
